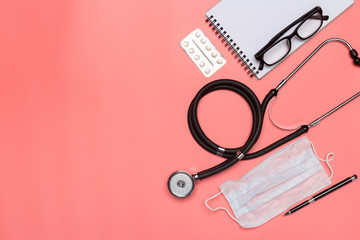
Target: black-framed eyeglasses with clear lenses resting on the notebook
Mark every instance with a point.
(277, 49)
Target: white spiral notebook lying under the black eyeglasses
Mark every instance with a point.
(245, 26)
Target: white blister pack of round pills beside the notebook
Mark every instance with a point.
(202, 52)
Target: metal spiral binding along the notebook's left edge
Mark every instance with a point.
(241, 58)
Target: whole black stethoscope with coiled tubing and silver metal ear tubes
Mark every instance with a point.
(181, 183)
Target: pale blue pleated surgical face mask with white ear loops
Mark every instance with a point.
(281, 180)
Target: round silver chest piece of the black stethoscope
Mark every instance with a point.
(181, 184)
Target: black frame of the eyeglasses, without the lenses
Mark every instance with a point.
(260, 54)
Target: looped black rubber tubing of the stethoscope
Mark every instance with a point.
(258, 112)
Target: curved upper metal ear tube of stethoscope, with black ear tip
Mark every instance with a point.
(353, 54)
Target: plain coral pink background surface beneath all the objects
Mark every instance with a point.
(93, 103)
